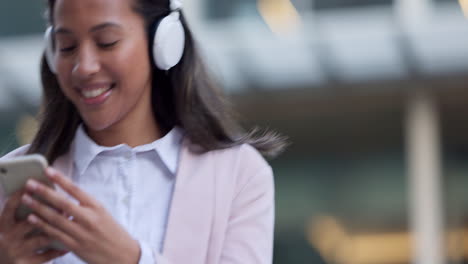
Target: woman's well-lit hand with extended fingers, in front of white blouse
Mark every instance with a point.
(92, 234)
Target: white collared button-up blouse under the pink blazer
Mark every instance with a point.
(135, 185)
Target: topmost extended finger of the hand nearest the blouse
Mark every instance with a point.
(70, 188)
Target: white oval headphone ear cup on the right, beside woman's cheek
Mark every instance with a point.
(168, 42)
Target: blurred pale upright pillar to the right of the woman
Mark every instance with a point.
(424, 163)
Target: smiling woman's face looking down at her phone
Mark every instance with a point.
(102, 60)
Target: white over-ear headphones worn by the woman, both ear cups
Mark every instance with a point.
(168, 41)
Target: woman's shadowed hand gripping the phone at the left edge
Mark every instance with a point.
(15, 246)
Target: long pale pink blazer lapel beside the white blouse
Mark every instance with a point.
(191, 211)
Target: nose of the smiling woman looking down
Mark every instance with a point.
(86, 62)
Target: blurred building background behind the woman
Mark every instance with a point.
(371, 93)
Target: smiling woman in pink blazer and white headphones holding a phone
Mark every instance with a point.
(151, 166)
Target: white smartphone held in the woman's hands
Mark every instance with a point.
(15, 172)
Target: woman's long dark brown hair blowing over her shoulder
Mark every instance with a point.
(184, 96)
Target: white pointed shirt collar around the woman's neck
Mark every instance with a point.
(85, 149)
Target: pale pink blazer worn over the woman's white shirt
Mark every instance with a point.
(222, 209)
